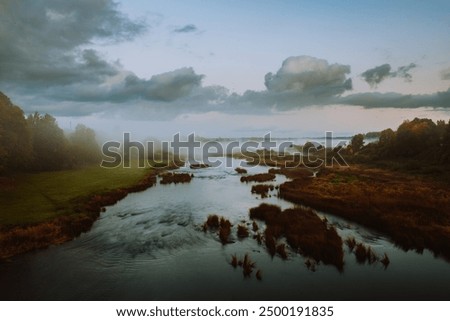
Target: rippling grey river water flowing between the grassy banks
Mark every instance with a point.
(150, 246)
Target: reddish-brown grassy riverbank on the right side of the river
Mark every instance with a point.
(413, 211)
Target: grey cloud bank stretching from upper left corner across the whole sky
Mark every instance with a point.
(46, 55)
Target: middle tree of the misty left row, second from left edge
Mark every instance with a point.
(50, 146)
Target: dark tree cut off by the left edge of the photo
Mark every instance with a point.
(15, 139)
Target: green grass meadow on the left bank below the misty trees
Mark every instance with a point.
(34, 198)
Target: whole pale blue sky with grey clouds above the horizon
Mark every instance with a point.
(227, 68)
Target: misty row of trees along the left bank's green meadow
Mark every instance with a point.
(36, 142)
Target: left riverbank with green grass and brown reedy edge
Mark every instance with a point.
(43, 209)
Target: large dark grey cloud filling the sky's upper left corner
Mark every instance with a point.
(41, 40)
